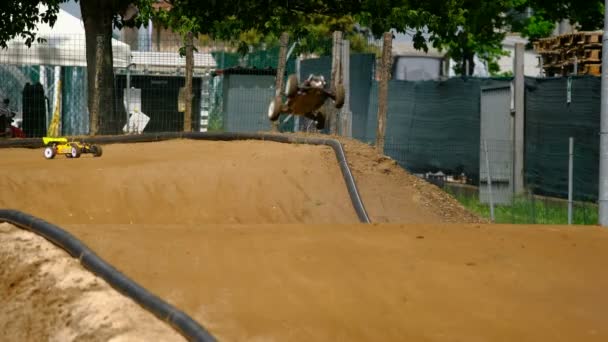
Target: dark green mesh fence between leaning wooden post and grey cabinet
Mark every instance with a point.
(431, 125)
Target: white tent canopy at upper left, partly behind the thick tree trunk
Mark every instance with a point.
(65, 46)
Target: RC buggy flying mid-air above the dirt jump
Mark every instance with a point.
(306, 99)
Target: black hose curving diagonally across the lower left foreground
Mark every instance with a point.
(185, 325)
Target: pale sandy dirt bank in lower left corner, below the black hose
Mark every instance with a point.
(46, 295)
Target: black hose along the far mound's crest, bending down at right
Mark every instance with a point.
(351, 185)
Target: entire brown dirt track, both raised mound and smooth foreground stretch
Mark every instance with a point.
(258, 241)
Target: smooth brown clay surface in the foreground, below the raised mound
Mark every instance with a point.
(372, 282)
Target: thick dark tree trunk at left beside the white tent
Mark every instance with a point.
(97, 17)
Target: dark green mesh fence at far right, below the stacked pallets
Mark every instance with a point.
(556, 109)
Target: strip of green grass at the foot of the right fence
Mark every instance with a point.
(532, 210)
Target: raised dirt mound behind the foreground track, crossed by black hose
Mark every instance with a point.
(188, 182)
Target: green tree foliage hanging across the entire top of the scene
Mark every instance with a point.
(463, 28)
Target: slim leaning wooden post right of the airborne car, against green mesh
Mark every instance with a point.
(385, 71)
